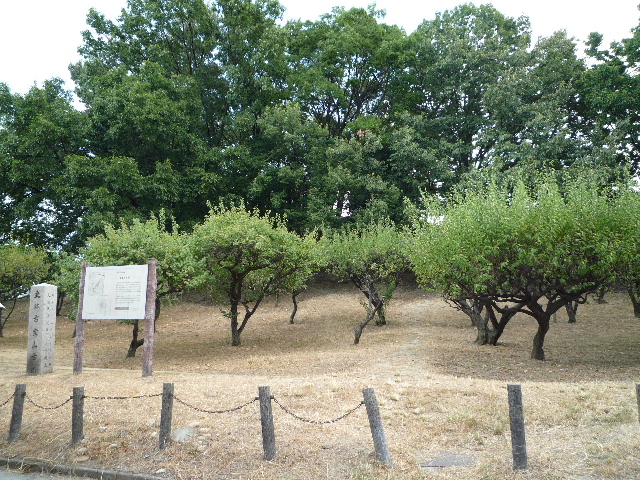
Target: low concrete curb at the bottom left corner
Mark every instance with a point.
(40, 466)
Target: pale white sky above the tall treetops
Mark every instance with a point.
(39, 38)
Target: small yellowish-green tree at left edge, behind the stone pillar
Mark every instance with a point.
(20, 267)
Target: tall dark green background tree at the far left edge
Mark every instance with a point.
(37, 131)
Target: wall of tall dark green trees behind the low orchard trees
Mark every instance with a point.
(326, 122)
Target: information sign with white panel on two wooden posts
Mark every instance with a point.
(118, 293)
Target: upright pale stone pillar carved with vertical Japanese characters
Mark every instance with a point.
(42, 329)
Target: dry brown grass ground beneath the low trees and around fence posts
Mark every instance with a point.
(438, 392)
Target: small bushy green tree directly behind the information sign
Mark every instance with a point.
(134, 244)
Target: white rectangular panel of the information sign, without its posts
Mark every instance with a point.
(115, 293)
